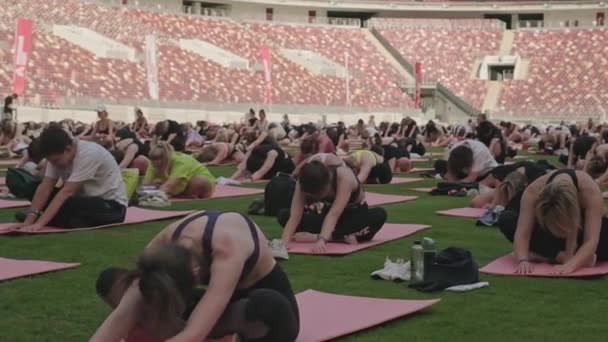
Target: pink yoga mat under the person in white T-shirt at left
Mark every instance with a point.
(134, 215)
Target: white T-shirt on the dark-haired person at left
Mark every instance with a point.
(95, 167)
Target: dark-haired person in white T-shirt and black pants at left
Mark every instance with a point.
(93, 193)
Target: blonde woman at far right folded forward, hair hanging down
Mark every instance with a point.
(560, 220)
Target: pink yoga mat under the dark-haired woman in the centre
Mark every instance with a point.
(389, 232)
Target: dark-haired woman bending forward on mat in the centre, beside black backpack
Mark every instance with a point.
(344, 216)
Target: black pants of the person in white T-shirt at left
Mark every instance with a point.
(86, 211)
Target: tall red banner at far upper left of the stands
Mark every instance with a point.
(23, 47)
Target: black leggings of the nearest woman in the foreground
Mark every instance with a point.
(268, 309)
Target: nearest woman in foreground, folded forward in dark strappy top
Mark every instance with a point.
(247, 292)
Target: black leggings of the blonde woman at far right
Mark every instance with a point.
(543, 243)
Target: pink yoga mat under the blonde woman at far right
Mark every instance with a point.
(506, 266)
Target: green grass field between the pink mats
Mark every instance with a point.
(62, 306)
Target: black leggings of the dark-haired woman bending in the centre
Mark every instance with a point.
(354, 220)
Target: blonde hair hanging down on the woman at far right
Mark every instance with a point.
(557, 208)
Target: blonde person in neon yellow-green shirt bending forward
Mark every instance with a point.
(178, 174)
